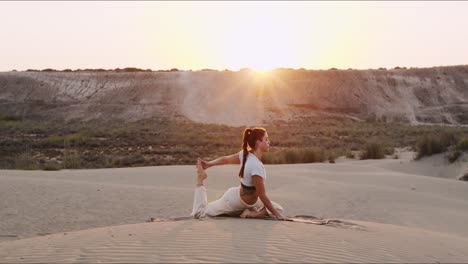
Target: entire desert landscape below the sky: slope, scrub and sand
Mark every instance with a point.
(79, 181)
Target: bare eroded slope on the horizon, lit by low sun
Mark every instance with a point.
(426, 95)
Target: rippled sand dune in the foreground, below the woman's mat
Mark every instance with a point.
(236, 240)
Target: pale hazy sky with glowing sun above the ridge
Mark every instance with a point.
(233, 35)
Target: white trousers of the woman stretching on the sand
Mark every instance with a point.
(230, 203)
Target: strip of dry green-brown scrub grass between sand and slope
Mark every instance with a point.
(163, 142)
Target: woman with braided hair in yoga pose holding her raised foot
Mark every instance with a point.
(249, 200)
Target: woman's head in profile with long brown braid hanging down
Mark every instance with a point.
(253, 139)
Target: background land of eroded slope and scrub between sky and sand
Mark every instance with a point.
(90, 119)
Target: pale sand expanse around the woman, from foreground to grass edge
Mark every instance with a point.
(100, 215)
